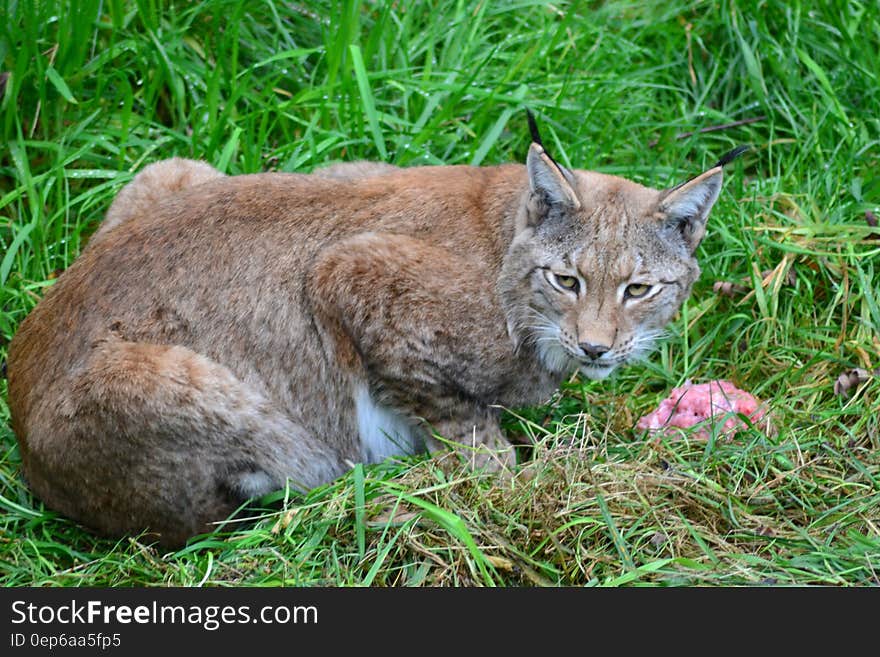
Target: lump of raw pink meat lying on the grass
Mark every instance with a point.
(718, 401)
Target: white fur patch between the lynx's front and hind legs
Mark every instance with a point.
(383, 432)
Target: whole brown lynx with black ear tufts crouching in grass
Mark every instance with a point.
(223, 335)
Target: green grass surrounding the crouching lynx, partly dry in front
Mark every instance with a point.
(98, 89)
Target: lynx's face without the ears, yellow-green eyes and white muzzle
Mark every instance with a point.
(599, 308)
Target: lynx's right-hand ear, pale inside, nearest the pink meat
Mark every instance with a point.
(687, 206)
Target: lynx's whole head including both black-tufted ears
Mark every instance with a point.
(599, 264)
